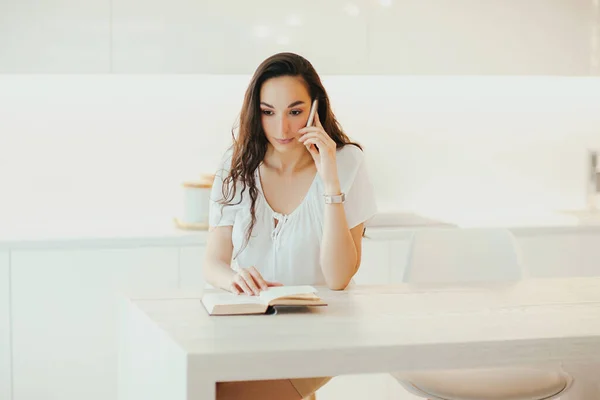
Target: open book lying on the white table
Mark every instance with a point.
(289, 296)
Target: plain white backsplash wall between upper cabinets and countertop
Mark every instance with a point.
(121, 145)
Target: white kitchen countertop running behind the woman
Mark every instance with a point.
(67, 231)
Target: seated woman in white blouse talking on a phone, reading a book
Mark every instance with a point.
(289, 204)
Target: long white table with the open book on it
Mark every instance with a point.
(171, 349)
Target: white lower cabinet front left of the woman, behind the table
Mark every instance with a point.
(64, 316)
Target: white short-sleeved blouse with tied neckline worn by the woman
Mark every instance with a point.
(288, 252)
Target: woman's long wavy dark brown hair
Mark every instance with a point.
(250, 146)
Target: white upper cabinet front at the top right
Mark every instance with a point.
(474, 37)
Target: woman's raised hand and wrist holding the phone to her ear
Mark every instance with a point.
(325, 156)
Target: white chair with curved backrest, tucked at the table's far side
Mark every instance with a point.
(474, 255)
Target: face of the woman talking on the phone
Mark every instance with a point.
(284, 107)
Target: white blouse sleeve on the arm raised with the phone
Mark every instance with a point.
(360, 204)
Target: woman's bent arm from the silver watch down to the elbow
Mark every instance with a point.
(340, 246)
